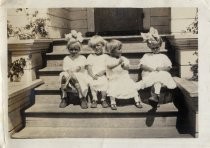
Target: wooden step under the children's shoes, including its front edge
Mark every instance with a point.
(52, 109)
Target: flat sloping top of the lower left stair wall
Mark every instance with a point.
(16, 88)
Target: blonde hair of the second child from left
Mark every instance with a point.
(96, 40)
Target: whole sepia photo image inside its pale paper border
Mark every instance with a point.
(102, 72)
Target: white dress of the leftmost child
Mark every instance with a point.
(69, 64)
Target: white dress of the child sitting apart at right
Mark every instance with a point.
(154, 61)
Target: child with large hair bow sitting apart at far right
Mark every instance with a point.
(155, 67)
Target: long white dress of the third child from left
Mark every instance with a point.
(120, 86)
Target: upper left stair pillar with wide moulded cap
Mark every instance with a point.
(31, 51)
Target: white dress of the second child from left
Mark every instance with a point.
(98, 63)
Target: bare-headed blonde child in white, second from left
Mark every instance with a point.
(97, 70)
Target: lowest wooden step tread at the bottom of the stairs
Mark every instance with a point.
(68, 132)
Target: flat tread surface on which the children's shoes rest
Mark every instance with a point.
(76, 109)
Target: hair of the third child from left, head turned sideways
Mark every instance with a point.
(113, 45)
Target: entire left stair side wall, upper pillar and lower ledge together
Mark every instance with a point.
(20, 94)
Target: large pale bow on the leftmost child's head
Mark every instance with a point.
(74, 36)
